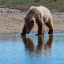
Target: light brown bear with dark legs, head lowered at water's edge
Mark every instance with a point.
(40, 15)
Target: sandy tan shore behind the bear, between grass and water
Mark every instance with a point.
(11, 21)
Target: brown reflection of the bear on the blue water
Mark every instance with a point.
(41, 46)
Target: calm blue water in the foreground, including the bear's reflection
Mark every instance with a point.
(47, 49)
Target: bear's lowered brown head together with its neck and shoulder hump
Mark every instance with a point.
(30, 18)
